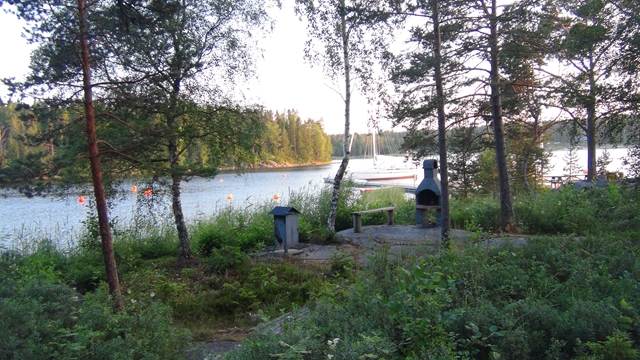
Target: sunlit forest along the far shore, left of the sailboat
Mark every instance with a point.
(39, 144)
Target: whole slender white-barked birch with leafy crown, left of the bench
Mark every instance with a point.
(349, 33)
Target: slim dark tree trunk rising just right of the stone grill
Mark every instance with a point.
(442, 127)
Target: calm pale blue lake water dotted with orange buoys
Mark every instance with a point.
(23, 218)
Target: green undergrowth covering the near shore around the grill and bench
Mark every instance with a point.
(555, 298)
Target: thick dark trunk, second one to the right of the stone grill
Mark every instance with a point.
(506, 205)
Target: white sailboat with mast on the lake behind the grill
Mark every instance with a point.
(385, 168)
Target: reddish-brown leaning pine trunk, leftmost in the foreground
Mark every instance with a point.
(96, 173)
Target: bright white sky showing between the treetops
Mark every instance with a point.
(283, 79)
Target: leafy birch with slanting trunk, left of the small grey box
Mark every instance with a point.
(178, 67)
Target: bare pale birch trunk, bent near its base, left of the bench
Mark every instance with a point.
(333, 212)
